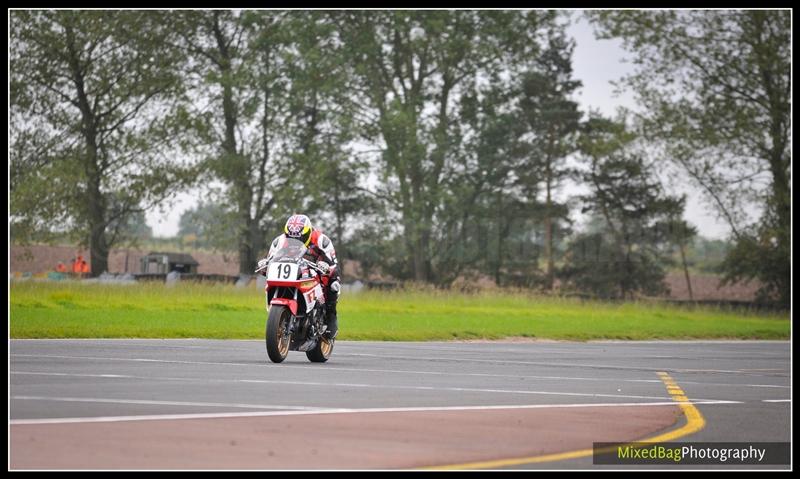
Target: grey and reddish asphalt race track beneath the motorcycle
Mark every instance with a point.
(204, 404)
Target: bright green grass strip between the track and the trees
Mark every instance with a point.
(75, 310)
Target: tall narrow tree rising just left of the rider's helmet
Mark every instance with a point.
(223, 72)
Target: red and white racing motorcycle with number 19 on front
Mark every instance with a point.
(296, 304)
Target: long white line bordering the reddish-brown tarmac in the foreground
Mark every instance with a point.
(163, 417)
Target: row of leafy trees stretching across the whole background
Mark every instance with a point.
(430, 145)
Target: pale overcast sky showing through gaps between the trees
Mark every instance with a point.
(596, 63)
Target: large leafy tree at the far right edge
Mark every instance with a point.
(716, 89)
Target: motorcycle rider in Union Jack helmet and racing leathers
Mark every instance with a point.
(321, 251)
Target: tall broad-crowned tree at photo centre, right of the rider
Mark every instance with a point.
(413, 69)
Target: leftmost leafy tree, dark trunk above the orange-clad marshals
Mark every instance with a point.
(92, 103)
